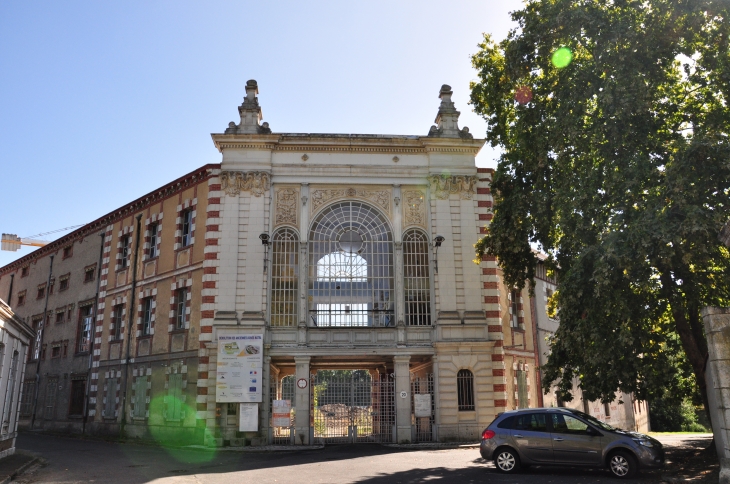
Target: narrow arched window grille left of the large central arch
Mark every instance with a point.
(284, 278)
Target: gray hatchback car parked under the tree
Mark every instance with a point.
(563, 436)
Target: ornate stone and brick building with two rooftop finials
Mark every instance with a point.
(349, 257)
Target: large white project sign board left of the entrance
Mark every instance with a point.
(239, 372)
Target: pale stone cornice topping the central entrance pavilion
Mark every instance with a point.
(344, 143)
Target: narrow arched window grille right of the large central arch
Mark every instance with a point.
(416, 278)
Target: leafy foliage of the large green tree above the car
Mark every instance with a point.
(615, 163)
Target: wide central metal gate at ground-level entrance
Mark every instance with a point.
(351, 406)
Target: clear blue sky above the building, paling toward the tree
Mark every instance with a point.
(102, 102)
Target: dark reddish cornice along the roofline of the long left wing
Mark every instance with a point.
(98, 225)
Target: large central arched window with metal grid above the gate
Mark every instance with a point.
(351, 267)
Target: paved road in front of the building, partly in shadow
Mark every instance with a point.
(74, 461)
